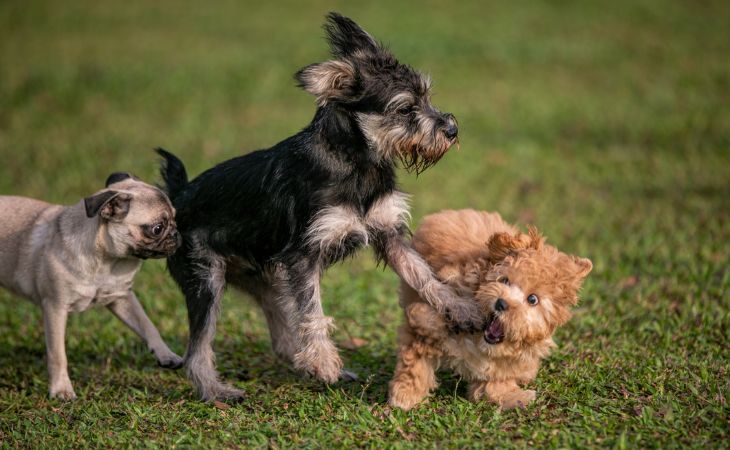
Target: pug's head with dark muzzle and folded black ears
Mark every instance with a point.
(135, 219)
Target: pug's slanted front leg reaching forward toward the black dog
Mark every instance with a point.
(130, 311)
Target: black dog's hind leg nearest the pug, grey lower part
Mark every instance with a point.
(202, 280)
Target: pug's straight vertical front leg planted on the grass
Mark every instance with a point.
(54, 319)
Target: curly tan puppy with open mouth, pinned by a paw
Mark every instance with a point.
(485, 259)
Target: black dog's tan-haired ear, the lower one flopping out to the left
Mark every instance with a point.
(330, 80)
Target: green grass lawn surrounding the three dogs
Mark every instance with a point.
(607, 126)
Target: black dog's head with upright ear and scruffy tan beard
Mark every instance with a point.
(389, 101)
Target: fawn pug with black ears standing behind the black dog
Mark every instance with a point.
(70, 258)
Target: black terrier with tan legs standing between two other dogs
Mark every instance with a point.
(272, 221)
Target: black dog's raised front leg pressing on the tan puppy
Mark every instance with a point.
(393, 247)
